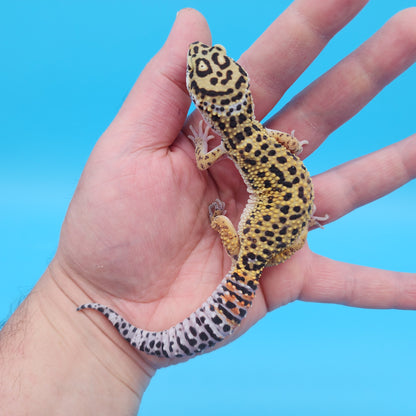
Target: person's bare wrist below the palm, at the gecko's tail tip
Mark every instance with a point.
(62, 358)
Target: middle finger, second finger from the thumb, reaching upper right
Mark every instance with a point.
(340, 93)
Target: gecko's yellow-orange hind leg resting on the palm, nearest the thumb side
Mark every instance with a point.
(224, 227)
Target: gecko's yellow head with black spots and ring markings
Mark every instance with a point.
(216, 83)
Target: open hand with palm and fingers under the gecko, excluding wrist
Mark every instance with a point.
(137, 236)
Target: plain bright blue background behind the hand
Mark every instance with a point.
(67, 67)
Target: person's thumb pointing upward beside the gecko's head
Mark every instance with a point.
(157, 105)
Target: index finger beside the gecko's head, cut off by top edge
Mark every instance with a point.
(290, 44)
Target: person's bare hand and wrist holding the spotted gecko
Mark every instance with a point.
(136, 236)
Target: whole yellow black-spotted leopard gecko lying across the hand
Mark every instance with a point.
(274, 223)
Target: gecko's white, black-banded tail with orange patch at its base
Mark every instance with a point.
(216, 319)
